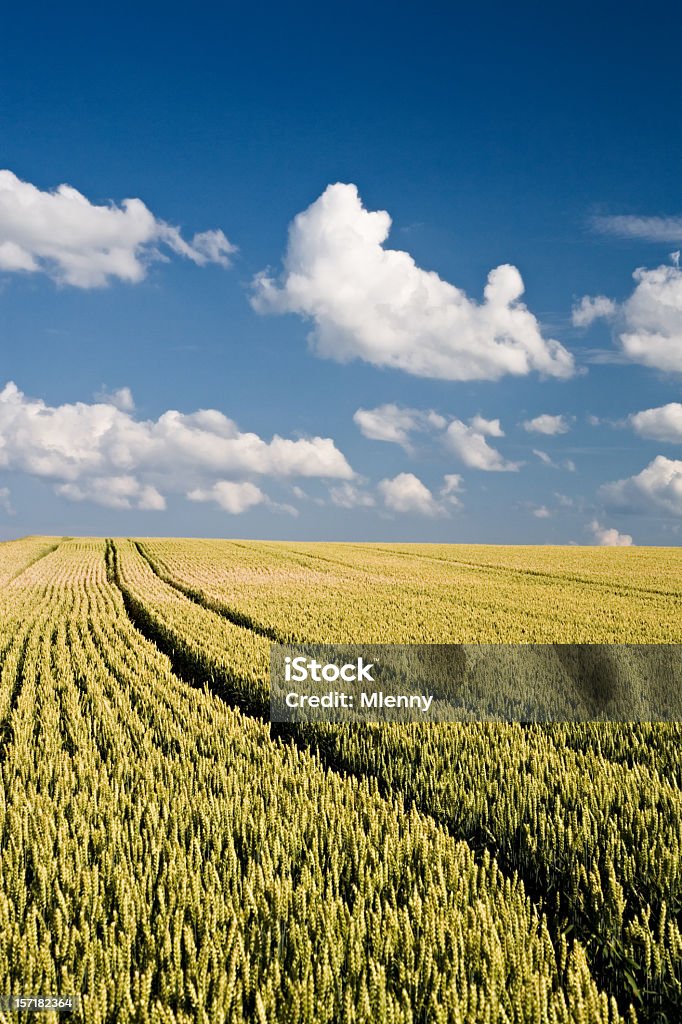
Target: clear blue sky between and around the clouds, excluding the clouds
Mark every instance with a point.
(491, 134)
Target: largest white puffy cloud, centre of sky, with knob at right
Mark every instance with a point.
(376, 305)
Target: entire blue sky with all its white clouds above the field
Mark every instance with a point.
(543, 142)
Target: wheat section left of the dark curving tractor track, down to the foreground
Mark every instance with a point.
(165, 858)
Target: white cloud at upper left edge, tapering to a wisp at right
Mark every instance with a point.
(77, 243)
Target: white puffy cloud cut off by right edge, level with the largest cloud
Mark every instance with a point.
(651, 320)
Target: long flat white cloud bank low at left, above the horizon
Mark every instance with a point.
(99, 452)
